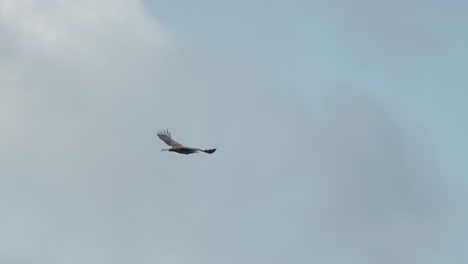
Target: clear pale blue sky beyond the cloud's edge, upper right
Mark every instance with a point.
(409, 56)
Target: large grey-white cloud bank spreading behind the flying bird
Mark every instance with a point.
(86, 84)
